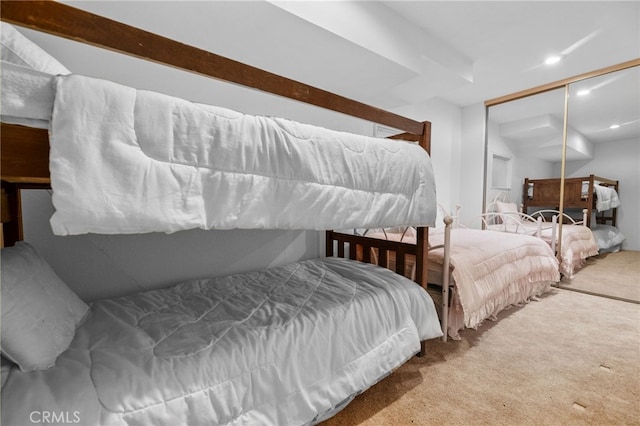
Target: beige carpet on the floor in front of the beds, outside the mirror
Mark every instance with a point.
(568, 359)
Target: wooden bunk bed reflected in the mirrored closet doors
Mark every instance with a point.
(598, 195)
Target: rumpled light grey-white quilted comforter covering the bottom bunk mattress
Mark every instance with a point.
(277, 347)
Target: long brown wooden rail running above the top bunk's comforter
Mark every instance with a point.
(75, 24)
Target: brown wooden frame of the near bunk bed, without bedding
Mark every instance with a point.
(25, 151)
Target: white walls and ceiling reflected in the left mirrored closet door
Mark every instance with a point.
(524, 141)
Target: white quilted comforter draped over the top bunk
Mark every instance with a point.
(131, 161)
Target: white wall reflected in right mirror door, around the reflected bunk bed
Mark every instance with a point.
(619, 160)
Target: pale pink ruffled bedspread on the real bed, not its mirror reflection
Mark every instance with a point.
(490, 271)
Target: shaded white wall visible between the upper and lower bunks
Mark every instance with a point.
(98, 266)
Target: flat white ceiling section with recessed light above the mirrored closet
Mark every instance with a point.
(509, 40)
